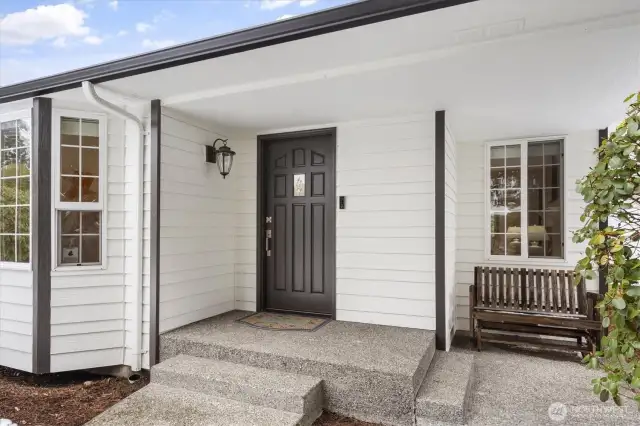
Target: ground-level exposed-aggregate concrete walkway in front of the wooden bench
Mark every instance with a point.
(518, 388)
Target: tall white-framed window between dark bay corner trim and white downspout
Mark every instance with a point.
(80, 145)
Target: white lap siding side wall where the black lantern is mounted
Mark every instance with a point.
(197, 218)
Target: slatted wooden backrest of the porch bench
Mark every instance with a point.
(523, 289)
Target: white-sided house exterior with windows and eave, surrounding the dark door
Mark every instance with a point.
(439, 112)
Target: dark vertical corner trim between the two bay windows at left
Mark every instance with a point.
(41, 233)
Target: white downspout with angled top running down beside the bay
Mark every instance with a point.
(92, 96)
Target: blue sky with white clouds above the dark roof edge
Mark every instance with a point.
(39, 38)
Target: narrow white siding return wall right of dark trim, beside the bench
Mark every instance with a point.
(450, 192)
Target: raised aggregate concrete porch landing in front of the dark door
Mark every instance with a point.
(370, 372)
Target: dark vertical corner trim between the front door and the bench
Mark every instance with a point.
(440, 263)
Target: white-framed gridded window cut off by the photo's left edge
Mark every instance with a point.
(15, 188)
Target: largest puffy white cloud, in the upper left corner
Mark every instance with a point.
(43, 23)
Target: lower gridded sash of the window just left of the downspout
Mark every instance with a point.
(79, 242)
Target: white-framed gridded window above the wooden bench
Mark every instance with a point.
(526, 192)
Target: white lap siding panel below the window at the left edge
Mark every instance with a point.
(16, 319)
